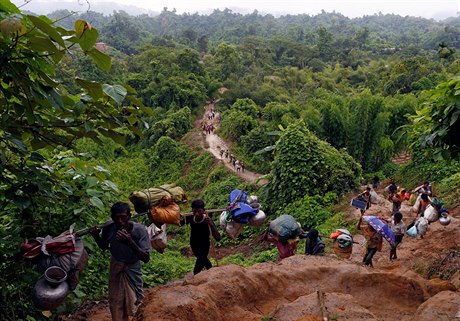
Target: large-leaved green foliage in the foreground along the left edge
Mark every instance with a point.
(45, 186)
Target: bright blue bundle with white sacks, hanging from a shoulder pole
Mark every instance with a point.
(241, 209)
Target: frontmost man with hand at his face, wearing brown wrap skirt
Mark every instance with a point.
(129, 244)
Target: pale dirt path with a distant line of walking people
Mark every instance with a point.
(214, 145)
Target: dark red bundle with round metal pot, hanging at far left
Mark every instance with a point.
(64, 253)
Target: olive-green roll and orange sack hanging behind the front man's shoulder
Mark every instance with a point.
(161, 205)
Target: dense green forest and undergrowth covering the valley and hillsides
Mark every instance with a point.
(95, 107)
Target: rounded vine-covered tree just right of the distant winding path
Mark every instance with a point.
(305, 165)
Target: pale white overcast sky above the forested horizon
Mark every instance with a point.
(349, 8)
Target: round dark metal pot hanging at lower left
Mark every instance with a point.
(51, 290)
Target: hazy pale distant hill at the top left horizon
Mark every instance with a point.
(106, 8)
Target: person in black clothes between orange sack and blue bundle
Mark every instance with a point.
(202, 227)
